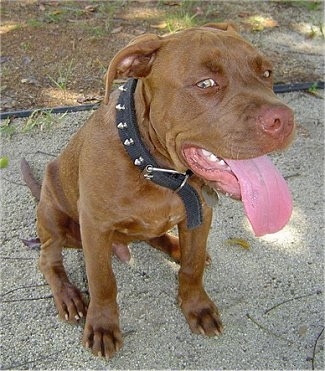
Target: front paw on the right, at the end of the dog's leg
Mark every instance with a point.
(203, 318)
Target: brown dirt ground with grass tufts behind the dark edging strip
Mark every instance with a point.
(55, 53)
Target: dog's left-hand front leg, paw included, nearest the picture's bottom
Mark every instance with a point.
(102, 331)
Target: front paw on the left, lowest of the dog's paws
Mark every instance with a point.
(102, 334)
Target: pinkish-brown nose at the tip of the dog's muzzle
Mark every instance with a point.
(277, 121)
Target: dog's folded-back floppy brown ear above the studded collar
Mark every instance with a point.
(135, 60)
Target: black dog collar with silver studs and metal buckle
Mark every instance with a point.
(130, 136)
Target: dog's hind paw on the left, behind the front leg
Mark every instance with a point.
(69, 303)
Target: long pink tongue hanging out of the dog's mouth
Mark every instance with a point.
(264, 193)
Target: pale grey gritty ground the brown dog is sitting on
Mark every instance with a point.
(270, 296)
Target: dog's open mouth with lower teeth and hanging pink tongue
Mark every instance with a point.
(256, 182)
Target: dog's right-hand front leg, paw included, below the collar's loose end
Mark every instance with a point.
(199, 310)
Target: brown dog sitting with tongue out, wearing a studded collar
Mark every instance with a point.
(198, 114)
